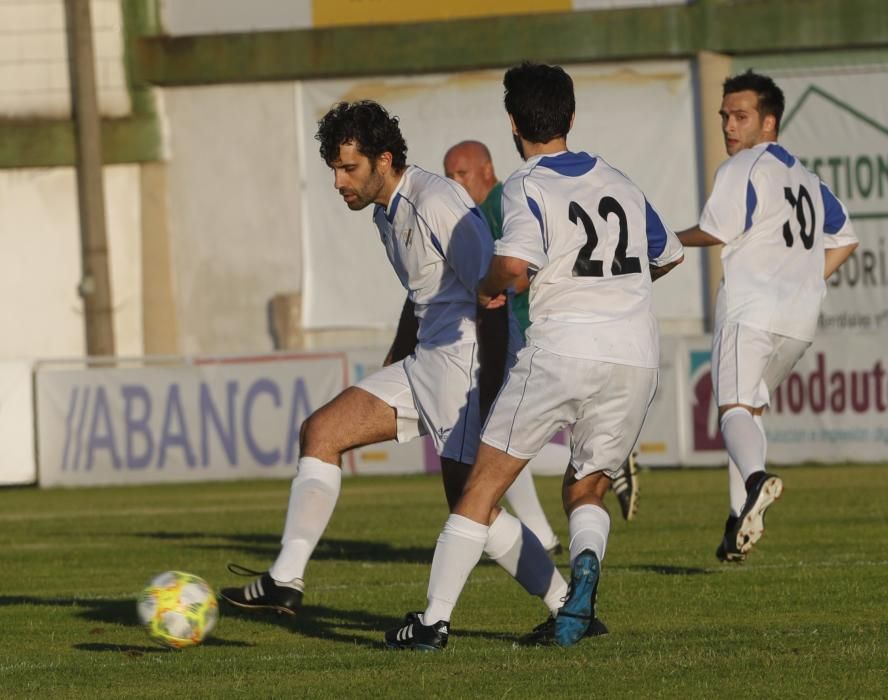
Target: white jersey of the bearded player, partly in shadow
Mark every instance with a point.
(440, 247)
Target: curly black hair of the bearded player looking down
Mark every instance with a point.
(368, 125)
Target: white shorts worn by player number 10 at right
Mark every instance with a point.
(749, 363)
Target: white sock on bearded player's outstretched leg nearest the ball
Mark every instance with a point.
(313, 497)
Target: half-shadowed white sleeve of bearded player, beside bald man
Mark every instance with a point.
(463, 238)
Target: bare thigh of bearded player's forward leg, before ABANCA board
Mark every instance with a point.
(355, 417)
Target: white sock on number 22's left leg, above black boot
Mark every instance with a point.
(459, 549)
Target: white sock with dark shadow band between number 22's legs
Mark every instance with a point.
(513, 546)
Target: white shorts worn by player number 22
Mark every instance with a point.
(605, 404)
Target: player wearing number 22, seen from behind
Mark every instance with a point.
(593, 244)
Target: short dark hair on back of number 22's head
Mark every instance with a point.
(540, 99)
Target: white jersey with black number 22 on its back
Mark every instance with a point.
(589, 234)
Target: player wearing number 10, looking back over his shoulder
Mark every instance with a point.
(784, 233)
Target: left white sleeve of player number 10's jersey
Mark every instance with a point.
(729, 208)
